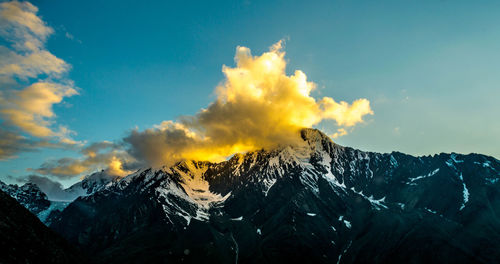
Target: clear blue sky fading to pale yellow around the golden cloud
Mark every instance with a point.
(428, 68)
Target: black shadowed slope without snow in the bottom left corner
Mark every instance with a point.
(26, 240)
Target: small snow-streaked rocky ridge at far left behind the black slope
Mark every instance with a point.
(29, 195)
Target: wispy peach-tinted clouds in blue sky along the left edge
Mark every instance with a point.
(31, 82)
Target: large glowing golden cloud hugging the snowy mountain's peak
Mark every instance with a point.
(257, 106)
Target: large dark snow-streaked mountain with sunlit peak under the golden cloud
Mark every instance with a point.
(310, 202)
